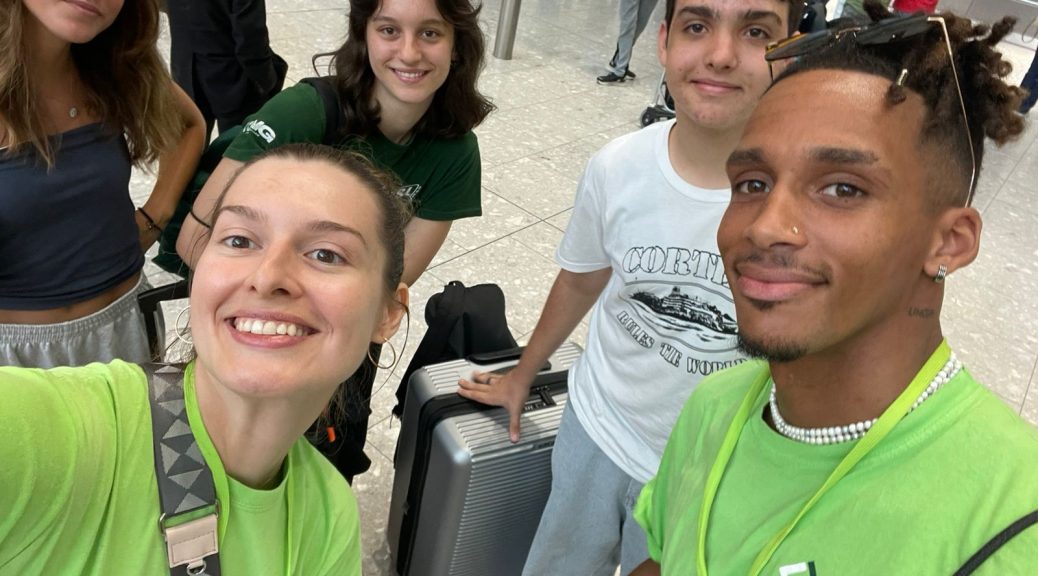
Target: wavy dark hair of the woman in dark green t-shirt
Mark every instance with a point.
(457, 107)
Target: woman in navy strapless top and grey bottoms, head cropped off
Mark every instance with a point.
(84, 97)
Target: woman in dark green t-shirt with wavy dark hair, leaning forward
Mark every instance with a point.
(406, 79)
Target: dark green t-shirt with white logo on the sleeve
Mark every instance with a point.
(441, 177)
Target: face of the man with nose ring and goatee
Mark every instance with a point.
(829, 230)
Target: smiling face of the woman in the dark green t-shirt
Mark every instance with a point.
(409, 48)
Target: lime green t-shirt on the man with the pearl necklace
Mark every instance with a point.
(952, 475)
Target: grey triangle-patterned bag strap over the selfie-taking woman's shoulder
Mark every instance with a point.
(187, 495)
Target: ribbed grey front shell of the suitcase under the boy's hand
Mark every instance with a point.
(507, 491)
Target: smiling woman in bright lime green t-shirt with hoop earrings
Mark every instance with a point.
(286, 299)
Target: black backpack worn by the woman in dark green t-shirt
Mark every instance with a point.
(168, 259)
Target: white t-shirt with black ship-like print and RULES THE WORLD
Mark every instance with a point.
(666, 318)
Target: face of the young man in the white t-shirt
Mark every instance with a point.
(714, 54)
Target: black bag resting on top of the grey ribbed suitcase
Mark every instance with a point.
(462, 321)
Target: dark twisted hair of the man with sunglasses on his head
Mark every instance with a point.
(991, 104)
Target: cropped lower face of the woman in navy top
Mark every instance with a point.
(73, 21)
